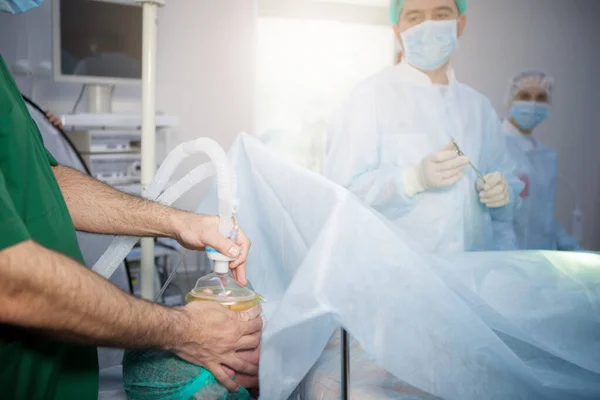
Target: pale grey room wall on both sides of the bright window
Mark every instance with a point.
(205, 74)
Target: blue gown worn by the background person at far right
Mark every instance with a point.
(535, 225)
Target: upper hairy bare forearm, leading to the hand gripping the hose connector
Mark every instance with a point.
(98, 208)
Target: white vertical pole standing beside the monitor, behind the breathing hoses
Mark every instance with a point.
(148, 161)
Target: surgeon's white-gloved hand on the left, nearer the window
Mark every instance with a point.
(443, 168)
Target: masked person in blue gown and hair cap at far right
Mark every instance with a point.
(535, 226)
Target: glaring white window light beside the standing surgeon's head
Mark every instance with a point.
(305, 70)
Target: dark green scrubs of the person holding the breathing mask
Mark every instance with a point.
(32, 208)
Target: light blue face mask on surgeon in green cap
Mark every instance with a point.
(430, 44)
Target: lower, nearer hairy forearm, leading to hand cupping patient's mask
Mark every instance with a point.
(44, 290)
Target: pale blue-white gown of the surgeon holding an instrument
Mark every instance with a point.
(397, 118)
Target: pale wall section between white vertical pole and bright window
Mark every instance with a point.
(205, 71)
